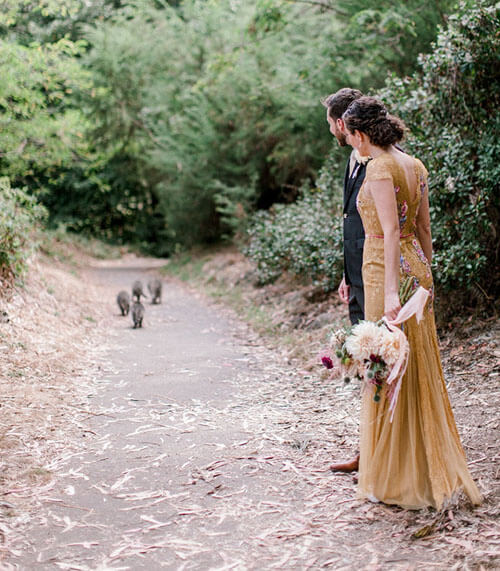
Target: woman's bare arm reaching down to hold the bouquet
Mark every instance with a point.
(382, 192)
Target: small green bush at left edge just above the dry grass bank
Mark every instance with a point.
(19, 214)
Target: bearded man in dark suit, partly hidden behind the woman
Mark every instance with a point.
(351, 286)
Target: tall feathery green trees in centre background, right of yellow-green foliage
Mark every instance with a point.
(211, 109)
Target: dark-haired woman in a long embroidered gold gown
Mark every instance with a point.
(417, 459)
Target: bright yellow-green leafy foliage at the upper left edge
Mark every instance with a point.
(41, 128)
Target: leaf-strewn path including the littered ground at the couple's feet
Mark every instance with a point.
(201, 451)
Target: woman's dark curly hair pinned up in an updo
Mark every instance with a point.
(370, 116)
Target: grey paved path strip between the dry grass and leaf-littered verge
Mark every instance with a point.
(170, 472)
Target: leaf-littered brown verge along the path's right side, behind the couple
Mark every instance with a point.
(295, 320)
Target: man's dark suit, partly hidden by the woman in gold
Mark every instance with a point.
(354, 238)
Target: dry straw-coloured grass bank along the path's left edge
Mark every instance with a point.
(50, 344)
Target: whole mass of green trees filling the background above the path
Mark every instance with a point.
(190, 114)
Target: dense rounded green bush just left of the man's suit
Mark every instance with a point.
(304, 239)
